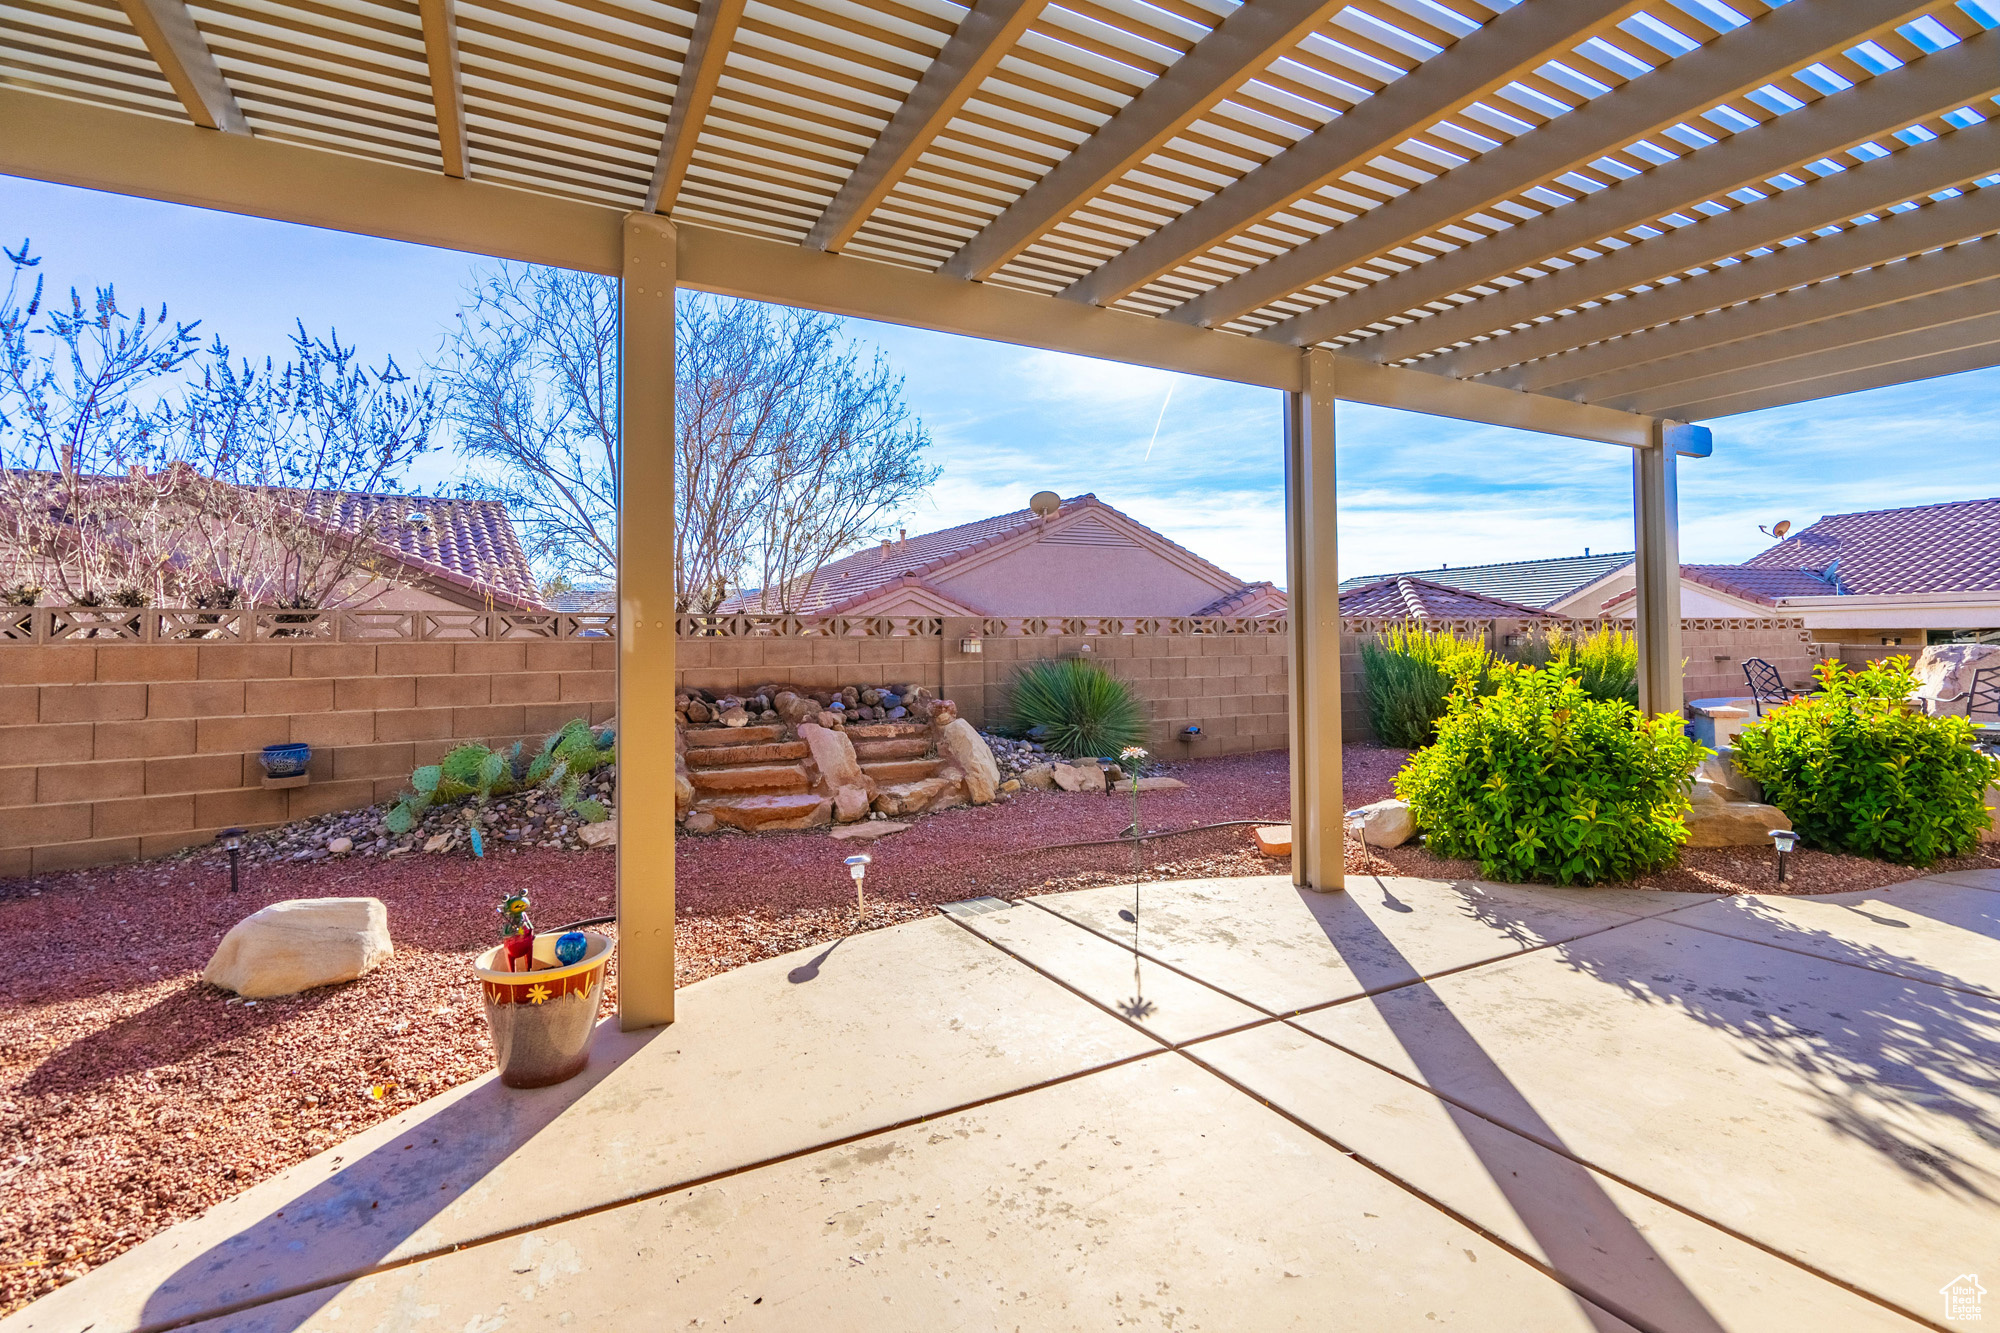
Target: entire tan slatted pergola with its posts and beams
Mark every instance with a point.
(1601, 219)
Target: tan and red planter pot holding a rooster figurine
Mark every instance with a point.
(541, 1022)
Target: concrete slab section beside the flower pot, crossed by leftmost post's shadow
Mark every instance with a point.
(777, 1058)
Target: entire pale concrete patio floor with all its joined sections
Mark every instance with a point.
(919, 1130)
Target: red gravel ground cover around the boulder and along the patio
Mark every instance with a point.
(133, 1096)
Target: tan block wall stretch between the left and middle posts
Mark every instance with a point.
(1231, 686)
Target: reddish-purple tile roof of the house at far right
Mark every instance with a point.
(1923, 549)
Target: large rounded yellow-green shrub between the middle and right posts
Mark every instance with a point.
(1543, 782)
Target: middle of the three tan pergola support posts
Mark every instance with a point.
(1319, 860)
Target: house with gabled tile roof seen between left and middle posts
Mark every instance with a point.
(1085, 559)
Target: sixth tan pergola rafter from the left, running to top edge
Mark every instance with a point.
(1505, 49)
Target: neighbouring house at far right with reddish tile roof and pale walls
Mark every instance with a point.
(1909, 577)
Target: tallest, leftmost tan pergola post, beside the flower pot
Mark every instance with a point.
(647, 623)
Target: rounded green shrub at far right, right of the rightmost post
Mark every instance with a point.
(1861, 772)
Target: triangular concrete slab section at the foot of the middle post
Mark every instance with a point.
(1269, 944)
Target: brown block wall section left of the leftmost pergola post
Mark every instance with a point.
(133, 750)
